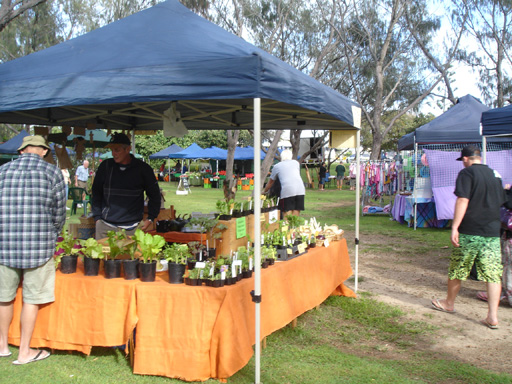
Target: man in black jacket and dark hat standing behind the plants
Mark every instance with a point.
(118, 191)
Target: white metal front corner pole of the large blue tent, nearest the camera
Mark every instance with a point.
(257, 236)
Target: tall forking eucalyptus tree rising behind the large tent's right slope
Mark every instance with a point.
(379, 61)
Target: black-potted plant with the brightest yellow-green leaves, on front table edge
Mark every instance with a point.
(150, 246)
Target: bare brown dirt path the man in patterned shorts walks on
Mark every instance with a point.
(410, 281)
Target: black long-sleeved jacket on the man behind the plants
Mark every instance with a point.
(118, 192)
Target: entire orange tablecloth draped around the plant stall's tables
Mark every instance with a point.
(192, 333)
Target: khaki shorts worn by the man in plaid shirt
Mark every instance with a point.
(38, 283)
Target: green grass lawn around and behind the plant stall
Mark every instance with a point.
(332, 344)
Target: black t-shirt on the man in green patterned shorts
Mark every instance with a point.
(479, 184)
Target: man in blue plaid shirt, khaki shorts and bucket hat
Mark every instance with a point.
(32, 214)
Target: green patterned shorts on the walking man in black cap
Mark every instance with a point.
(485, 252)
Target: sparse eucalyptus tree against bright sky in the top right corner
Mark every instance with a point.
(490, 27)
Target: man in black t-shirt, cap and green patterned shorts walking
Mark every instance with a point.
(475, 233)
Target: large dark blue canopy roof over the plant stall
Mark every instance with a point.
(131, 70)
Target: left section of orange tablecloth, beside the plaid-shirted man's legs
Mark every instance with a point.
(88, 311)
